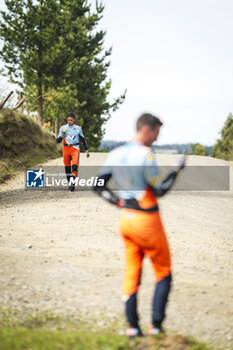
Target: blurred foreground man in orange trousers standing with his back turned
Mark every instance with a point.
(135, 172)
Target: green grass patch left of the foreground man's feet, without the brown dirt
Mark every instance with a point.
(47, 330)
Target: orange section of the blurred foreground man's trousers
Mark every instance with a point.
(143, 235)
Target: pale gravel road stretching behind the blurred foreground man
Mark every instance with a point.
(61, 251)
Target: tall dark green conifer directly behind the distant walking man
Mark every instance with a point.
(85, 81)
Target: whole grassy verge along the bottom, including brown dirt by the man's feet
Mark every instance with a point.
(45, 331)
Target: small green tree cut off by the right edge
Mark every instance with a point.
(224, 146)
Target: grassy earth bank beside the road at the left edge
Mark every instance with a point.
(23, 143)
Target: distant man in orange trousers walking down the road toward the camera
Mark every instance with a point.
(70, 134)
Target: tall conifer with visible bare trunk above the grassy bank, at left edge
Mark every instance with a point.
(30, 44)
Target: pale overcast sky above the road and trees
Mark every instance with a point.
(175, 58)
